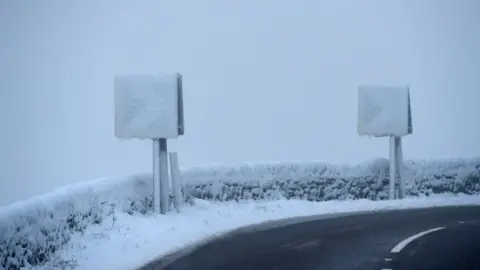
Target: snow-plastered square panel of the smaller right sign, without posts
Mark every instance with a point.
(383, 111)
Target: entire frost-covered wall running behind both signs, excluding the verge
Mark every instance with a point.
(32, 231)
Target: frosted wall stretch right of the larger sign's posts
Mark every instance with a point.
(320, 181)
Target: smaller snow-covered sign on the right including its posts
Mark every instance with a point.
(386, 112)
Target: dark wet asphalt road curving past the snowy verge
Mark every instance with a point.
(361, 241)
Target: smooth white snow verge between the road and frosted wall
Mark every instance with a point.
(132, 241)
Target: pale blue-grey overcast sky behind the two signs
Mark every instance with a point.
(263, 81)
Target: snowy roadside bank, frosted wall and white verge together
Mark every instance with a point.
(69, 226)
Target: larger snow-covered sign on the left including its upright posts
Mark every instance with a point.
(150, 106)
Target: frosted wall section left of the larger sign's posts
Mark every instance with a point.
(33, 230)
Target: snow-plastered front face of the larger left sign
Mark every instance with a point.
(146, 106)
